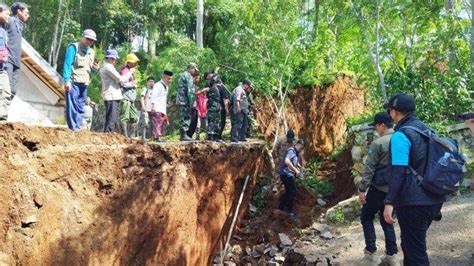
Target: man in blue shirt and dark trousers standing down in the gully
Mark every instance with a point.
(289, 170)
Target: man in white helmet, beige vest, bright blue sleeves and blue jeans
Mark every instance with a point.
(79, 62)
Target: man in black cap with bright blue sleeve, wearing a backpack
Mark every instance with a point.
(415, 207)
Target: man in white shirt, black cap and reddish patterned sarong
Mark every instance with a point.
(156, 105)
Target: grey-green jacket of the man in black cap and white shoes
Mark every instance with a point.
(377, 158)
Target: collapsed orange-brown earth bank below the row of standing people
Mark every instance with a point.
(84, 198)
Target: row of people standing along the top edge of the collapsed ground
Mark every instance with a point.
(203, 108)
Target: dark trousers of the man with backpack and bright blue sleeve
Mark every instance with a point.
(414, 223)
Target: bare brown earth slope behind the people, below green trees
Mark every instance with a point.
(317, 115)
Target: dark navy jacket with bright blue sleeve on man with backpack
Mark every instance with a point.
(407, 147)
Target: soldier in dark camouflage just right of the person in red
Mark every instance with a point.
(214, 111)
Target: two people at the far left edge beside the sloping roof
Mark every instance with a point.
(11, 28)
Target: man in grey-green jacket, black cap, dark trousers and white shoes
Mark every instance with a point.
(373, 190)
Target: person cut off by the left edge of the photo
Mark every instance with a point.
(5, 92)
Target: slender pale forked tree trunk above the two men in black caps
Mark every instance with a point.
(373, 58)
